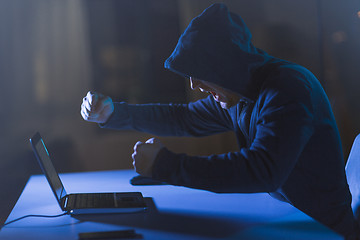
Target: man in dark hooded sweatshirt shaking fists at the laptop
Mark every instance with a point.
(289, 144)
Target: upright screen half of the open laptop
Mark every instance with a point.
(48, 168)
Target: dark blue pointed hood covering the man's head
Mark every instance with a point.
(216, 47)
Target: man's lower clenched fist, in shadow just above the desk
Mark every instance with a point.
(144, 156)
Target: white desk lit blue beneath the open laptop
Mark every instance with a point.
(175, 213)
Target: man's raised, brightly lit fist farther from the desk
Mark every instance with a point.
(96, 107)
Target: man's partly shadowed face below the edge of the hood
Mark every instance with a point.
(225, 97)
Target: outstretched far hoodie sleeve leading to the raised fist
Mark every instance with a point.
(201, 118)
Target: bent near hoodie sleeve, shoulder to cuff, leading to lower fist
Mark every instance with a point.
(283, 128)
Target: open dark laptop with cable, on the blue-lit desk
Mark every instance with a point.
(84, 203)
